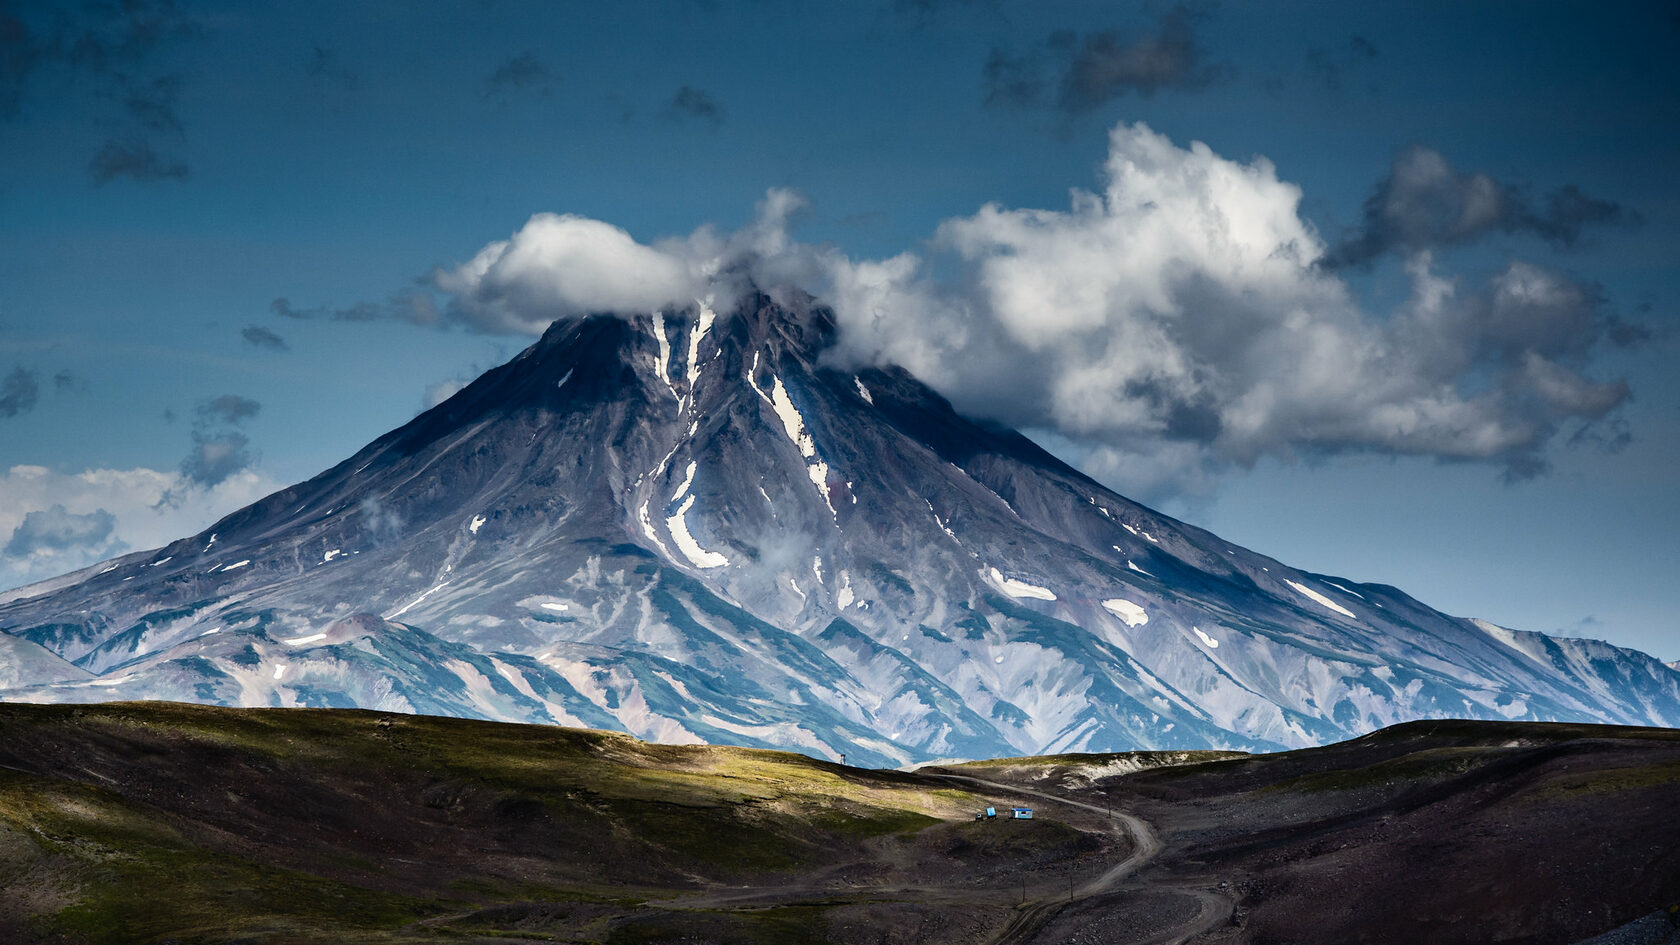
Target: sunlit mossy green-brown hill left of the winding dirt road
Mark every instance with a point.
(160, 821)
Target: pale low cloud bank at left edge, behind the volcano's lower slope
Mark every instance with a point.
(60, 522)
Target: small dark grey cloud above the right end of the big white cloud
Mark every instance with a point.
(1425, 203)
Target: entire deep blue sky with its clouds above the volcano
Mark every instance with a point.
(218, 221)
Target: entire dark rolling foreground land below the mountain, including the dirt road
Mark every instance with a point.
(174, 823)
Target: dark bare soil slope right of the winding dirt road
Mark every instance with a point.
(1442, 833)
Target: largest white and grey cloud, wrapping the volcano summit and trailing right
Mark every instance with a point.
(1172, 325)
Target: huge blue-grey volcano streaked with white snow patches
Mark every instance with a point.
(690, 527)
